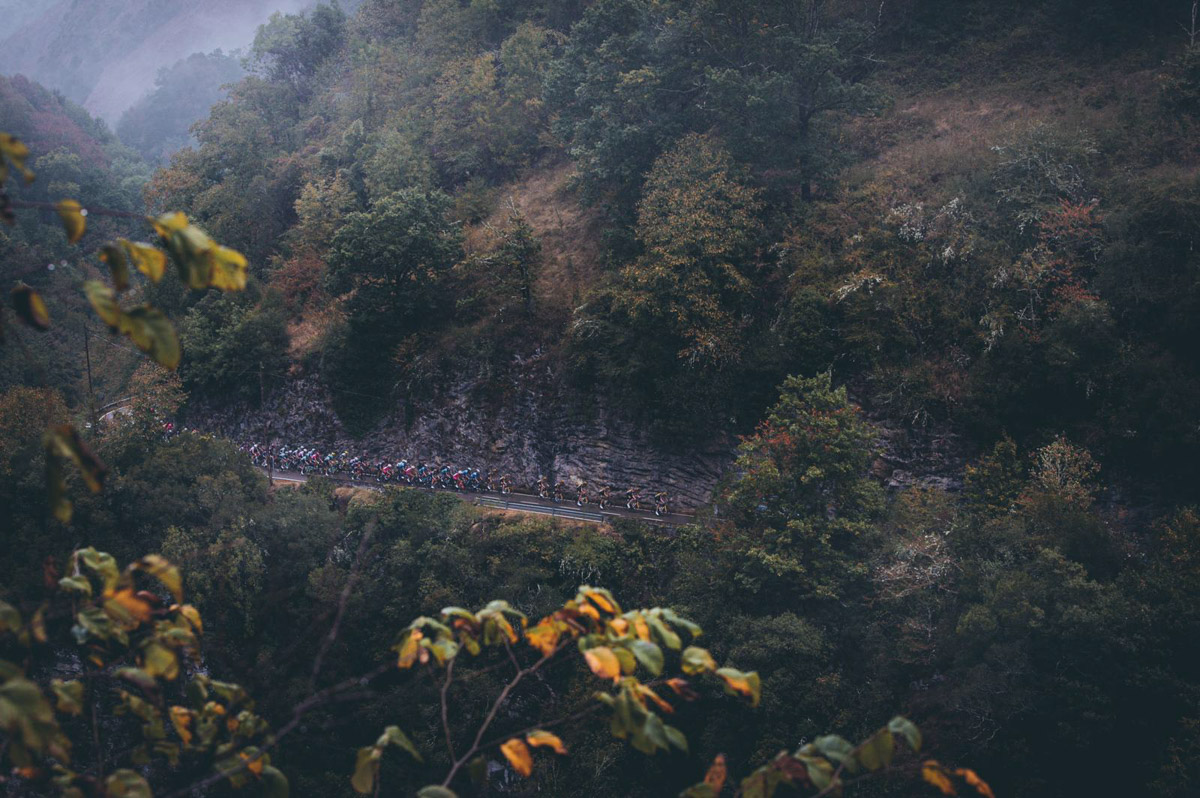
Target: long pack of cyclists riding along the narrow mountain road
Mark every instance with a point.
(311, 461)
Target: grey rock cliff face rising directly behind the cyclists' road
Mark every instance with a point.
(541, 429)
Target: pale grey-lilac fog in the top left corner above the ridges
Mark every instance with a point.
(105, 55)
